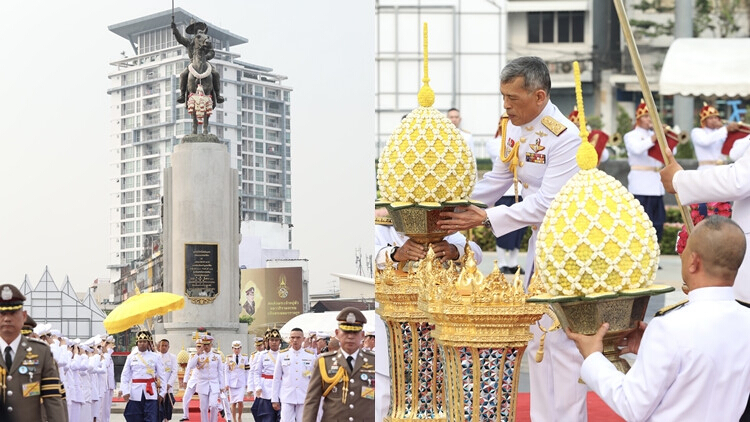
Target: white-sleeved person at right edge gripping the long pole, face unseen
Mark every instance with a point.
(721, 183)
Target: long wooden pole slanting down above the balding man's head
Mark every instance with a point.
(648, 96)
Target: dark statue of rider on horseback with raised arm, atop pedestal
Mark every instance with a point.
(200, 82)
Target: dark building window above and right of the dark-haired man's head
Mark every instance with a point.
(555, 27)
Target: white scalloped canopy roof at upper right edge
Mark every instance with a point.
(708, 67)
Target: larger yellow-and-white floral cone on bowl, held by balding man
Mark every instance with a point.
(597, 253)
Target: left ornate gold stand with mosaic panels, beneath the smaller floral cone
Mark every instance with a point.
(415, 368)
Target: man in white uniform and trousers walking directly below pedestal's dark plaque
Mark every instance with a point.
(210, 370)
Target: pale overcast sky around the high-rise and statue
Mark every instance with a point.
(54, 190)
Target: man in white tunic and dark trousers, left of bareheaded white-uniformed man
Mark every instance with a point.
(262, 409)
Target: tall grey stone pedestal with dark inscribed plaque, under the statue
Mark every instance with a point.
(201, 245)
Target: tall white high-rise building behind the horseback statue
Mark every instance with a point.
(147, 122)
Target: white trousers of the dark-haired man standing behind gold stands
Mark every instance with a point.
(556, 394)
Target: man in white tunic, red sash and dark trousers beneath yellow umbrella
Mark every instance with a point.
(138, 381)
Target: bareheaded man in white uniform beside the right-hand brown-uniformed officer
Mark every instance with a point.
(291, 377)
